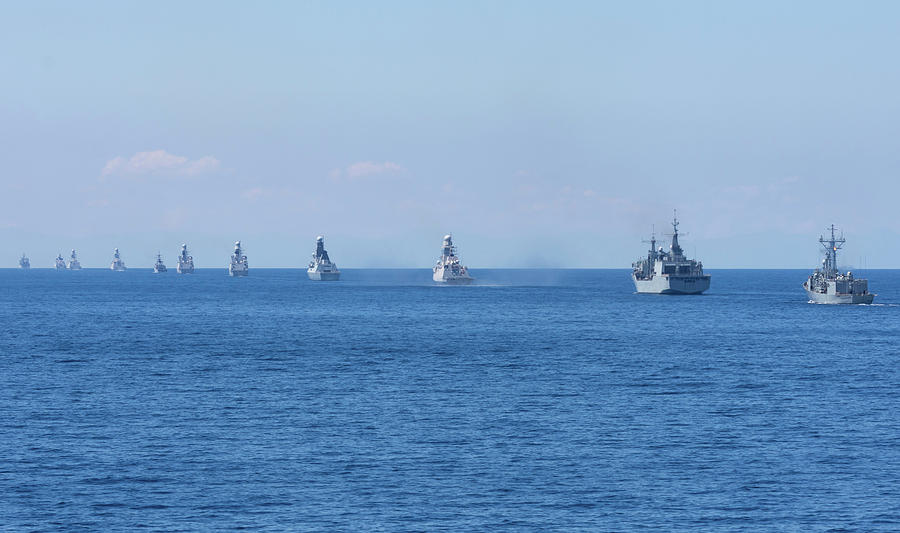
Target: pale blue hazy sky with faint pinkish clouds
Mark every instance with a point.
(540, 134)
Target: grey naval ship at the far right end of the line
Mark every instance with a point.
(829, 286)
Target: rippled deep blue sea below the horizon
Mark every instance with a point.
(534, 400)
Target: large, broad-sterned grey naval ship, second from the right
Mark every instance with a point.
(669, 272)
